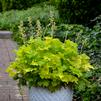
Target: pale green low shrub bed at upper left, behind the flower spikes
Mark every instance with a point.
(13, 17)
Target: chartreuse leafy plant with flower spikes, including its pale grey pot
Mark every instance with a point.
(49, 67)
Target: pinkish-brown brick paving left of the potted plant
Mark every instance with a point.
(9, 90)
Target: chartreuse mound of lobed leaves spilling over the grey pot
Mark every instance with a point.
(47, 62)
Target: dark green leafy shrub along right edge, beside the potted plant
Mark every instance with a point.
(91, 45)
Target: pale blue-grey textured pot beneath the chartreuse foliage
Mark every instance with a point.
(41, 94)
